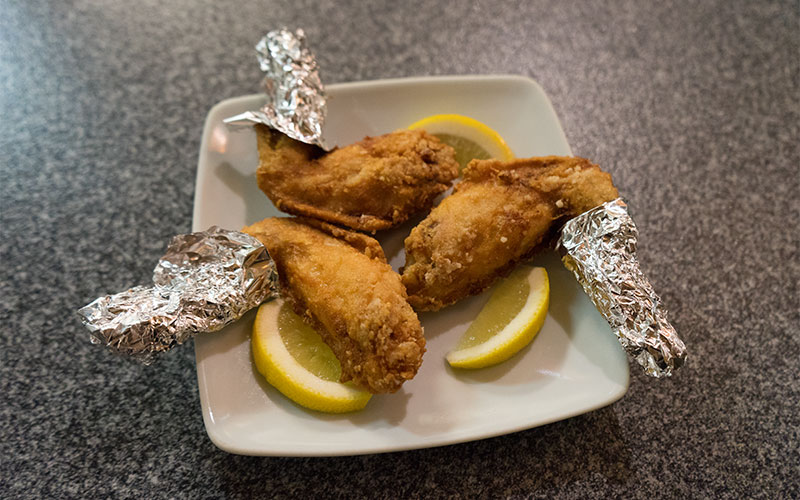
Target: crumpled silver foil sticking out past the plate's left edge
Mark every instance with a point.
(205, 281)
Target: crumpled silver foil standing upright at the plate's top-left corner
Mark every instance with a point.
(296, 100)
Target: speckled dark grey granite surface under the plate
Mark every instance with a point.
(694, 107)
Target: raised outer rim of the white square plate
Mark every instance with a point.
(222, 442)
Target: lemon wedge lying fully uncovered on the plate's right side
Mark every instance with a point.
(508, 322)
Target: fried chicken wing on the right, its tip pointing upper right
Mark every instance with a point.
(500, 214)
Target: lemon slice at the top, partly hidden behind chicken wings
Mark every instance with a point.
(470, 138)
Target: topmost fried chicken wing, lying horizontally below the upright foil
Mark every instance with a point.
(374, 184)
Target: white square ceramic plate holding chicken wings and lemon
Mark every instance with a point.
(574, 365)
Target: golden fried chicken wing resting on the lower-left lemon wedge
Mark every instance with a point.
(340, 283)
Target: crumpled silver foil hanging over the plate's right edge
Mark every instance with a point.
(599, 247)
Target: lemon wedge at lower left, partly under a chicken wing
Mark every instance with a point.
(294, 359)
